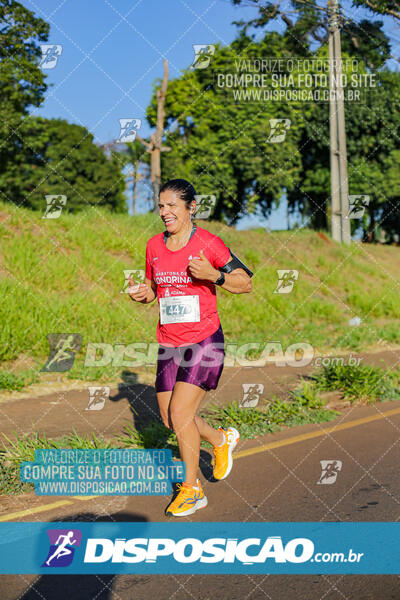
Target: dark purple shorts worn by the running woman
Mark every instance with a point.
(200, 364)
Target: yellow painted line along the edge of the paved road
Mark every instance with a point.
(241, 454)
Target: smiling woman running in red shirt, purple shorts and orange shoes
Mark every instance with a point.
(183, 266)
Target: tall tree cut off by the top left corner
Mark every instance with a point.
(22, 82)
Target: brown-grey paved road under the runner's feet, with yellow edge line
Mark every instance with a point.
(274, 479)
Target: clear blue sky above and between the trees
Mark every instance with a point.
(113, 52)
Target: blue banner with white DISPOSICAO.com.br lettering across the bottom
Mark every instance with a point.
(209, 548)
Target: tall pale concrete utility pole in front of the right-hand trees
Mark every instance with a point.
(339, 184)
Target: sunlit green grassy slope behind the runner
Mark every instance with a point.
(65, 275)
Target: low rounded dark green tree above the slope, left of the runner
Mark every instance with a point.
(51, 157)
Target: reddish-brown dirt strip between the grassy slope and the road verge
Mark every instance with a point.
(63, 410)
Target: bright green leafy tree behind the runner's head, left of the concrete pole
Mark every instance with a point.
(220, 144)
